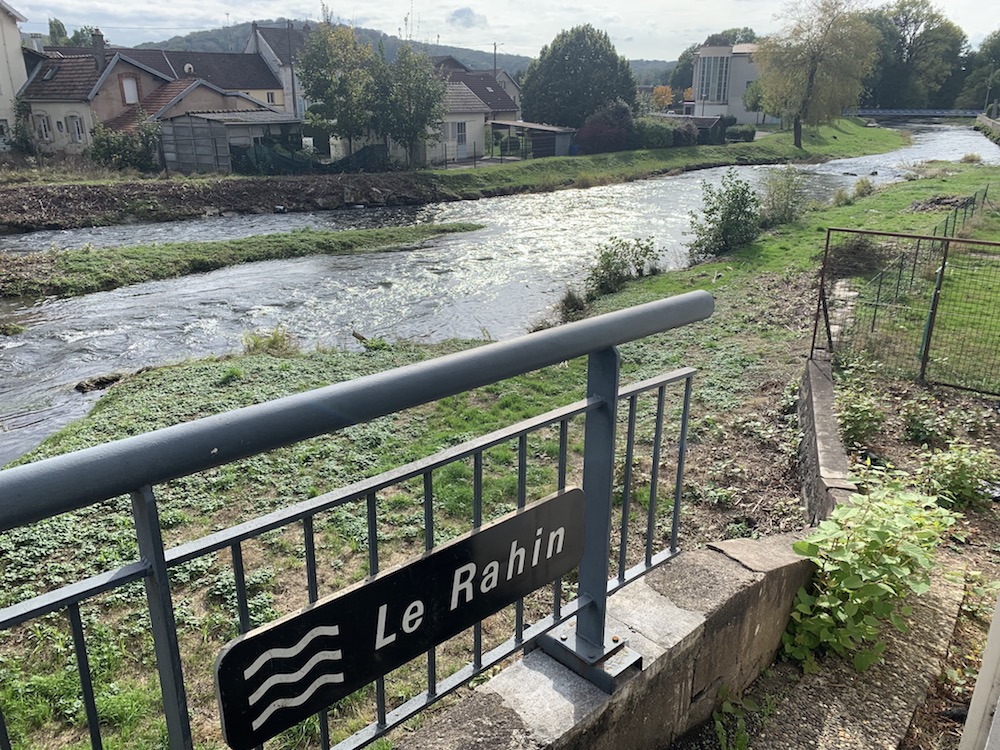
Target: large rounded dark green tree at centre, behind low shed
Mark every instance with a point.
(575, 75)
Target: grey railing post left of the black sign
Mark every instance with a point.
(161, 617)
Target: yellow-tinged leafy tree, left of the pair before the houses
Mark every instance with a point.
(335, 70)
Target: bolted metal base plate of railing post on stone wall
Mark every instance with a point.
(609, 667)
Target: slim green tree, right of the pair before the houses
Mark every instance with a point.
(415, 100)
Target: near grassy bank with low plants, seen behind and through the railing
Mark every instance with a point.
(741, 478)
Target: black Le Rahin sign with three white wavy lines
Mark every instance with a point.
(275, 676)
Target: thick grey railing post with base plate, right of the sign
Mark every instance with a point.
(586, 649)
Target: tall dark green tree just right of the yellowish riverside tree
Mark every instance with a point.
(918, 50)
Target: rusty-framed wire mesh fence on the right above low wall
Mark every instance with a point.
(923, 306)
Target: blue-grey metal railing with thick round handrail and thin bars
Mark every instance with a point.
(135, 466)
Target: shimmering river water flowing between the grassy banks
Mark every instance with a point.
(491, 283)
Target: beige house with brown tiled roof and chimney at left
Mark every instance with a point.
(69, 96)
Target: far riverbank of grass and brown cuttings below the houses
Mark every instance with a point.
(63, 202)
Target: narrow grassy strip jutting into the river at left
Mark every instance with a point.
(70, 273)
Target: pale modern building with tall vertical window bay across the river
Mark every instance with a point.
(721, 77)
